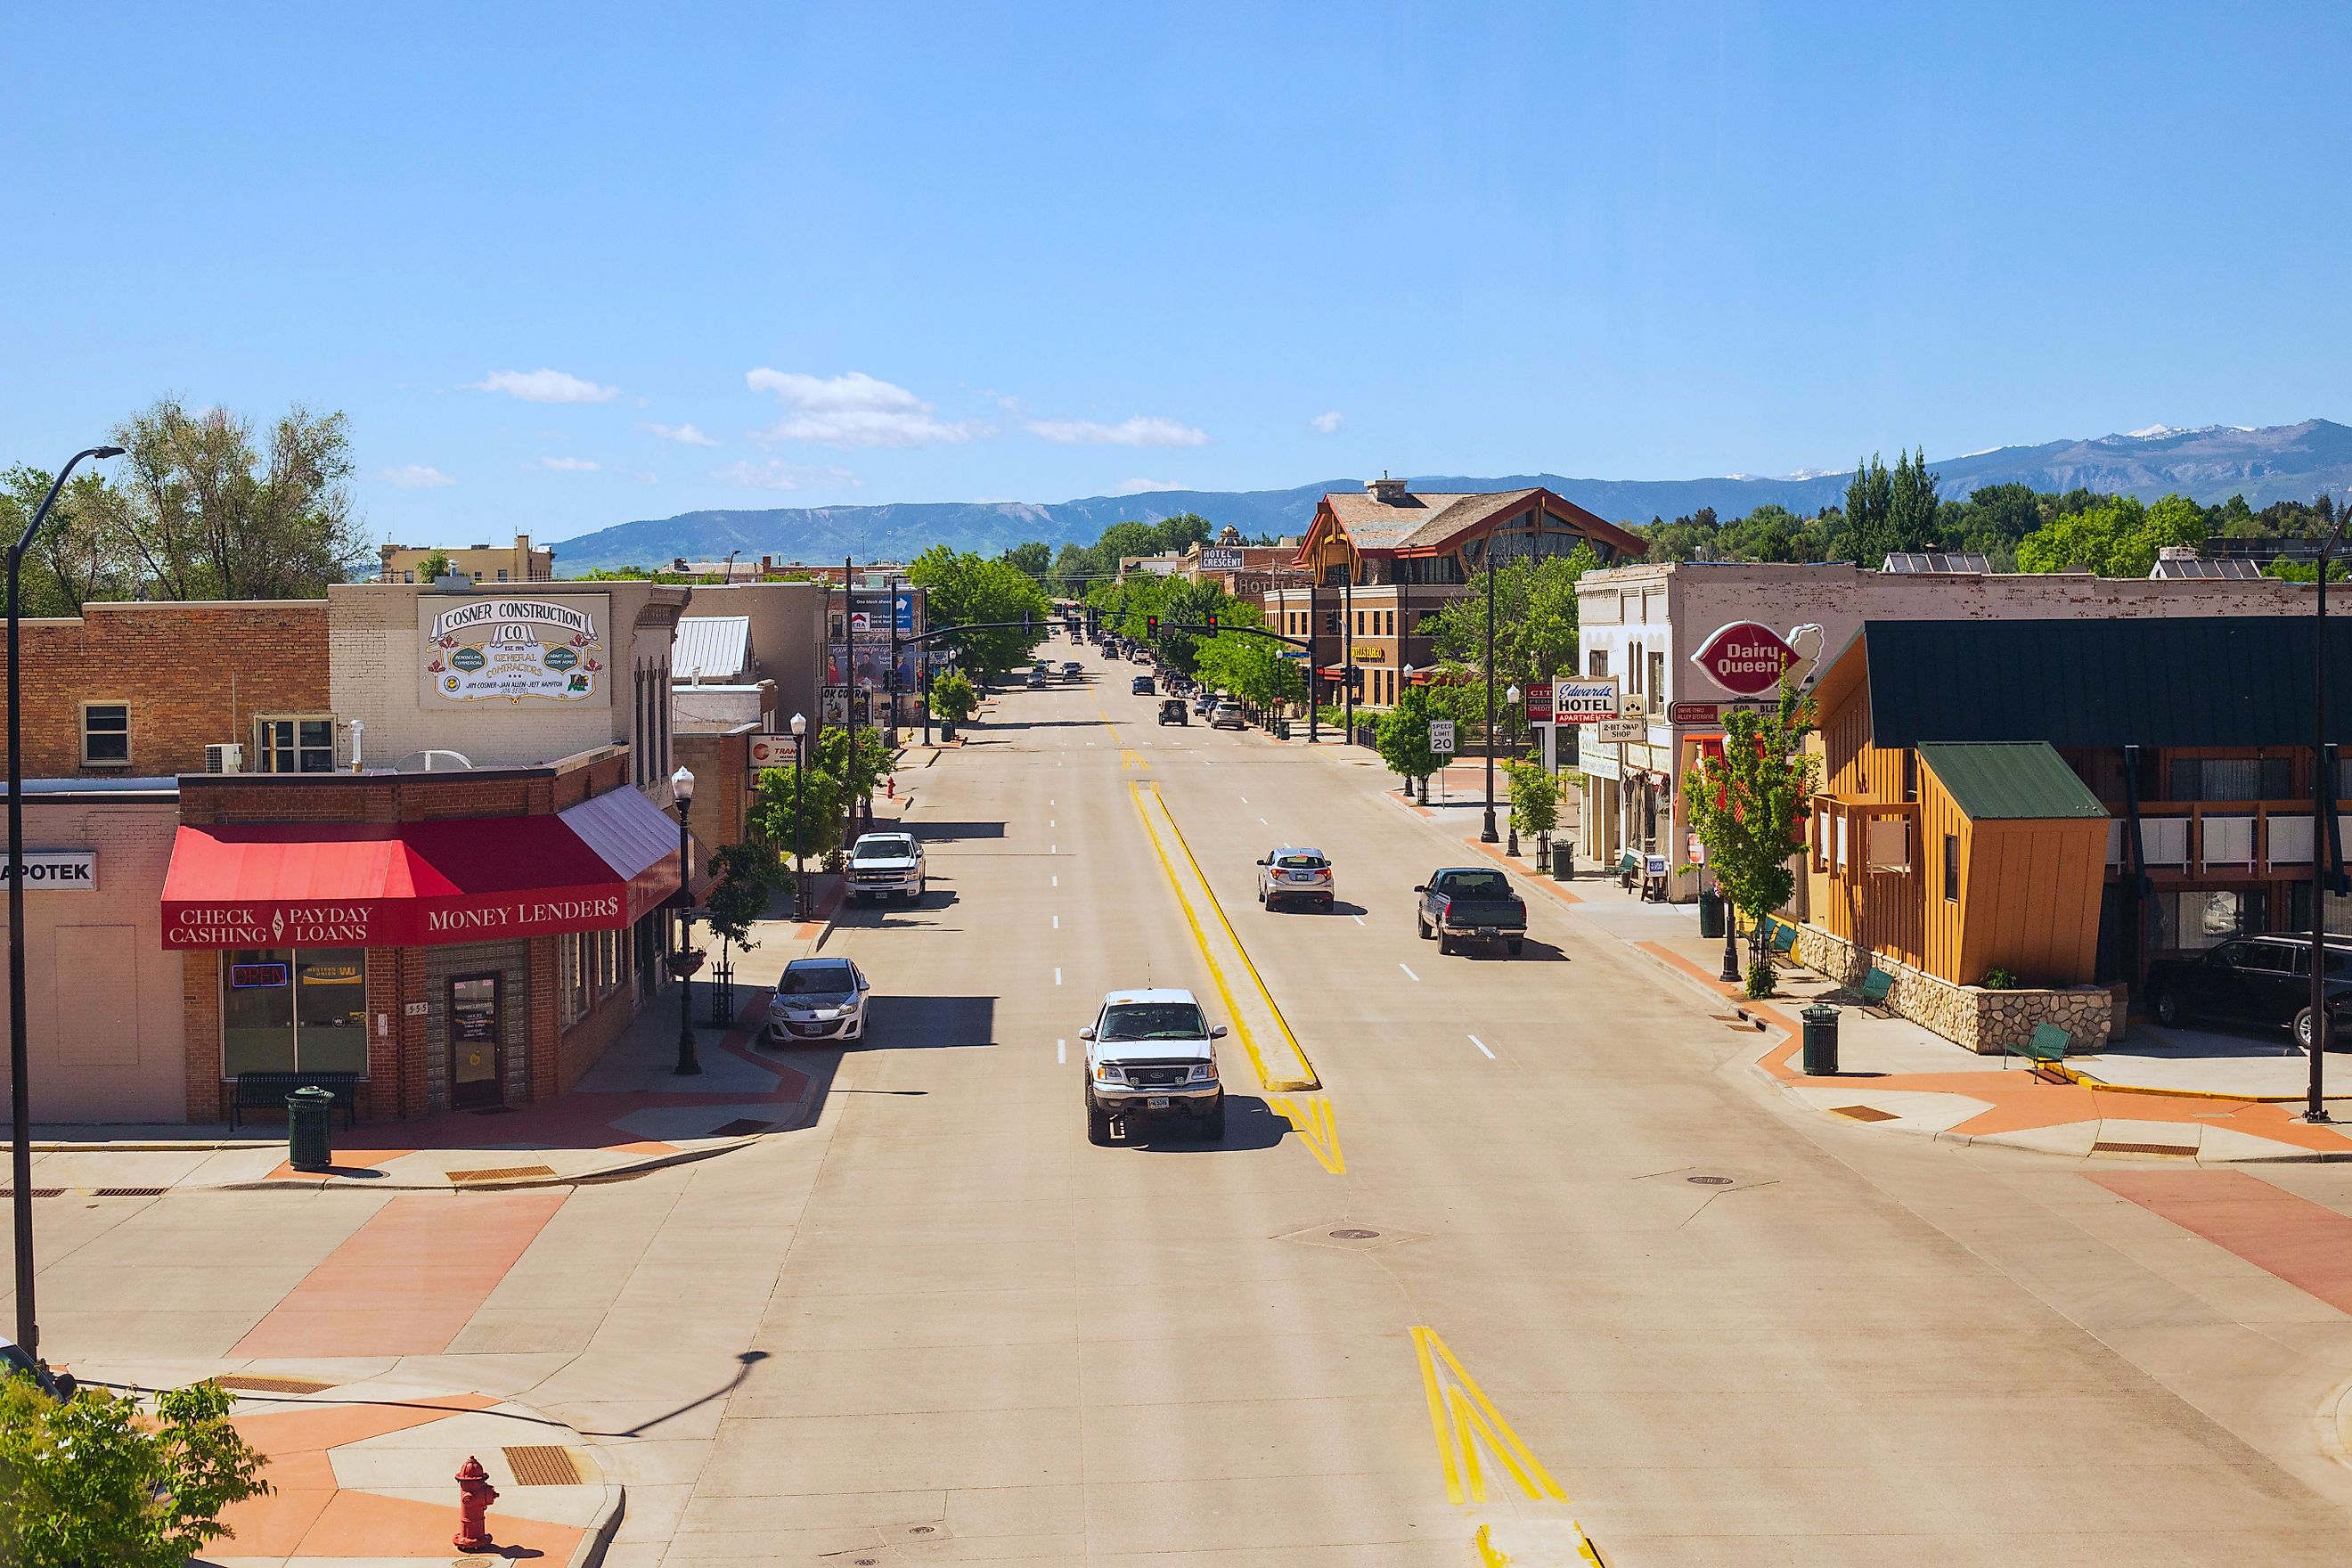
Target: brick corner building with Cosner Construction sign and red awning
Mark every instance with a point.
(410, 838)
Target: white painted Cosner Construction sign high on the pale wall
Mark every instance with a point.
(519, 652)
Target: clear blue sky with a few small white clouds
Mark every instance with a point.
(949, 253)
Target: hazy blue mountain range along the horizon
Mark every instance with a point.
(2210, 464)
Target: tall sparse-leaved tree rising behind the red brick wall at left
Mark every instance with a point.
(201, 511)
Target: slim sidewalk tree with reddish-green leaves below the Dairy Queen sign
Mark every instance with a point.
(1746, 808)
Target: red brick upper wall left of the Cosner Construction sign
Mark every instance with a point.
(192, 676)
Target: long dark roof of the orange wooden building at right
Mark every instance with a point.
(2226, 681)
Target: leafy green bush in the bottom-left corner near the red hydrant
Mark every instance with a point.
(95, 1480)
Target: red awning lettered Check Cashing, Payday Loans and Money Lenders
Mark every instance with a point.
(599, 866)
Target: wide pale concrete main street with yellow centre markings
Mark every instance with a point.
(1532, 1259)
